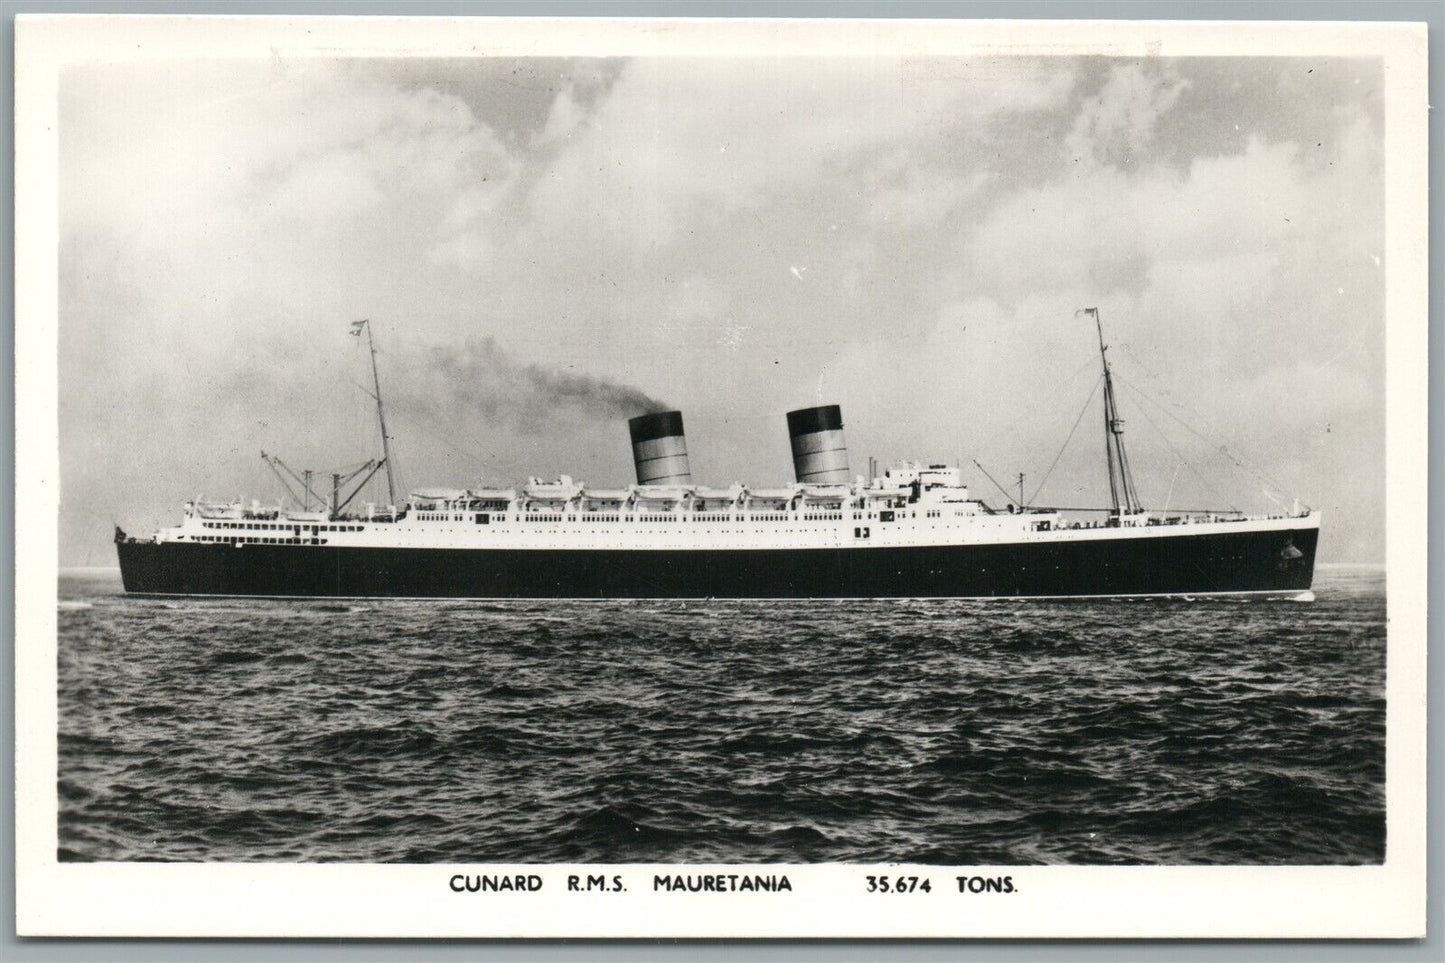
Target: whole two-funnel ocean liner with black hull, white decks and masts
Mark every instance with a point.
(915, 531)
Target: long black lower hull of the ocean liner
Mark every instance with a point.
(1278, 562)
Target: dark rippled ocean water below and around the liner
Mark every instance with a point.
(933, 732)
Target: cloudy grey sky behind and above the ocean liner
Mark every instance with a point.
(547, 248)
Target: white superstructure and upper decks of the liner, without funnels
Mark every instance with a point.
(911, 505)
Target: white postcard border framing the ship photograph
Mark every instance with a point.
(826, 900)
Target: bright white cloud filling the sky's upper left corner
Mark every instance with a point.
(245, 196)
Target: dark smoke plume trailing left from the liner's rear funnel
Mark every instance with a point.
(480, 380)
